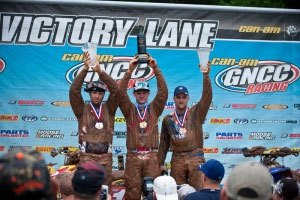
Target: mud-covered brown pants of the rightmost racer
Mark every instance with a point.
(184, 168)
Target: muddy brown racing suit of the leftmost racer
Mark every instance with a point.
(96, 143)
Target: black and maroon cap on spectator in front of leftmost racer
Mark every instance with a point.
(88, 177)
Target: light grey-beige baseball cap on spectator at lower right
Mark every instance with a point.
(249, 180)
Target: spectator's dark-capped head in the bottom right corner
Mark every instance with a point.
(286, 189)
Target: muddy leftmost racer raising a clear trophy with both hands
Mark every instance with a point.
(95, 119)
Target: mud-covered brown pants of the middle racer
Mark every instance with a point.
(137, 167)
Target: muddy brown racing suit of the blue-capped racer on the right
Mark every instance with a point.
(187, 148)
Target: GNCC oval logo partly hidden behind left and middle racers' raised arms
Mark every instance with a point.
(116, 69)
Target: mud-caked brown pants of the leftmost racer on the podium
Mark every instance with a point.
(104, 159)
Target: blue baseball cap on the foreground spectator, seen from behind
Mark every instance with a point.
(212, 169)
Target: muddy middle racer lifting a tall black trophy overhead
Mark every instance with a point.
(142, 128)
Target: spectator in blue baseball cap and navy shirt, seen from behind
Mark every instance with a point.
(212, 175)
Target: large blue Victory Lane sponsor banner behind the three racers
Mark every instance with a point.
(255, 69)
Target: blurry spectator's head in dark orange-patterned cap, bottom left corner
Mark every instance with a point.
(24, 175)
